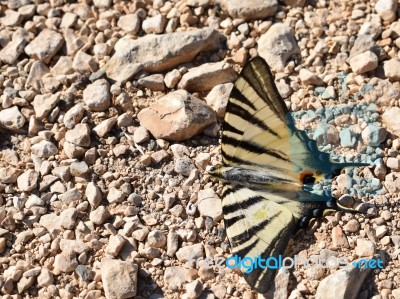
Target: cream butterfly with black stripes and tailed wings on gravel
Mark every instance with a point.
(269, 170)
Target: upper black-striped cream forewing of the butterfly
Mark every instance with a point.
(255, 114)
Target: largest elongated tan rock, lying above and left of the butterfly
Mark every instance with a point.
(132, 56)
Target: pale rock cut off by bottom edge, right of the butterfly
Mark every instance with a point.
(344, 283)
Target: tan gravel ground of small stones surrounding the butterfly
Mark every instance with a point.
(111, 111)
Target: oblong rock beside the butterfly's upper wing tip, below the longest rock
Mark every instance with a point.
(206, 76)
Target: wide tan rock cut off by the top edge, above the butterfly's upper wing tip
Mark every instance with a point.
(254, 9)
